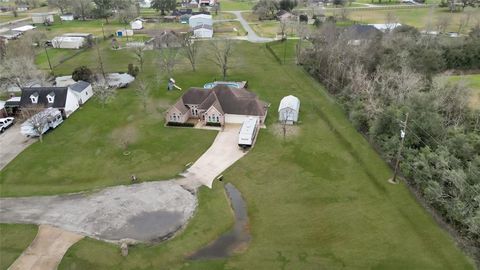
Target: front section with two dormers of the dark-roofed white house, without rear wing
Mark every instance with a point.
(62, 98)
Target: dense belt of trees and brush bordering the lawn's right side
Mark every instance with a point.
(385, 77)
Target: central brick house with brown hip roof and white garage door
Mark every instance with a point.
(221, 104)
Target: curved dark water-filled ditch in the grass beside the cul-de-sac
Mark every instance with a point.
(234, 239)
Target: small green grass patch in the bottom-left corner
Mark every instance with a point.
(14, 239)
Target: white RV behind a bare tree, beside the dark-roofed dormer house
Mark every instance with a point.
(49, 118)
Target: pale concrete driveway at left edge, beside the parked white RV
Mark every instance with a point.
(12, 143)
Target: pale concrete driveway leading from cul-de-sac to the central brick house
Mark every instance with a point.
(222, 154)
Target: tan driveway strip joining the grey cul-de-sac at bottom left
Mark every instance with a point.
(46, 250)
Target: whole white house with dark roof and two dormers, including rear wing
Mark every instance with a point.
(66, 99)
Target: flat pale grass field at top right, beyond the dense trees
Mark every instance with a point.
(422, 18)
